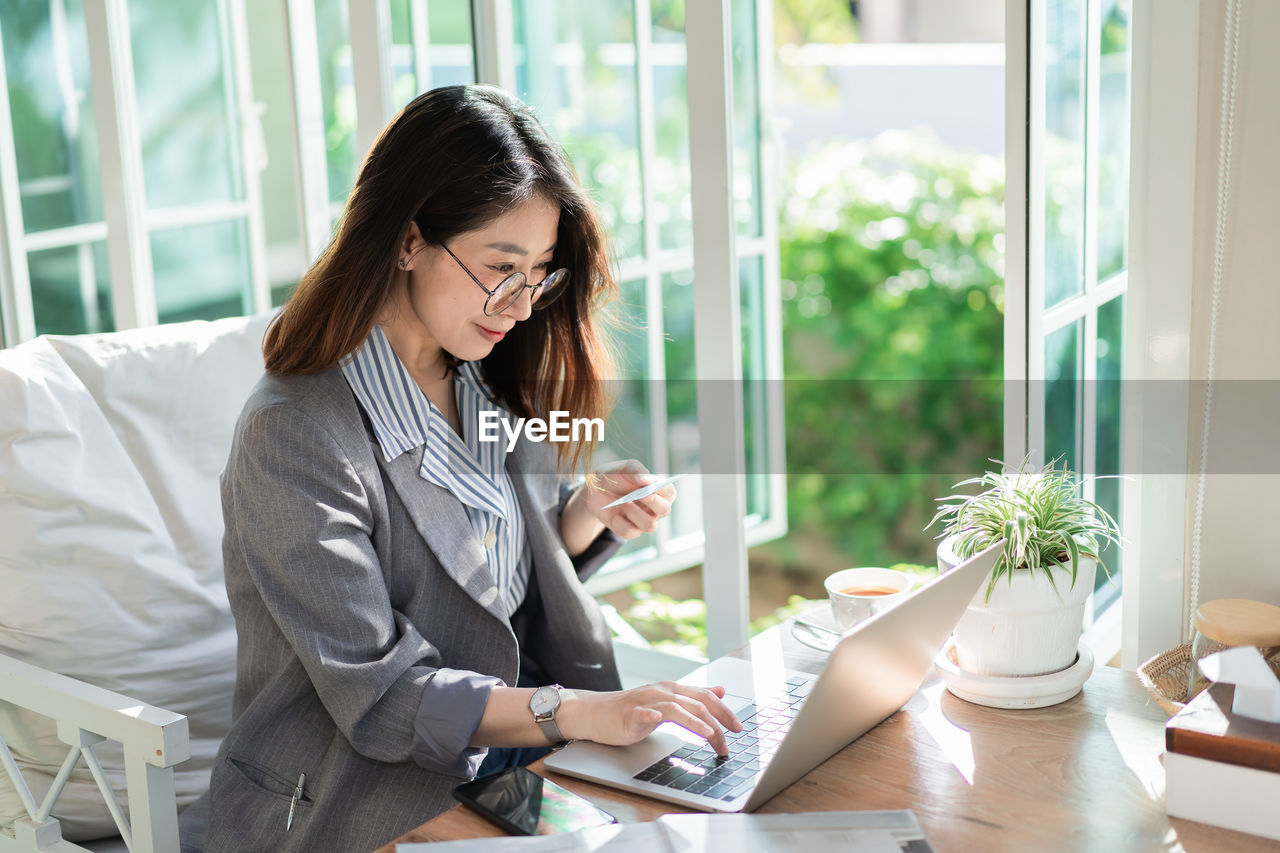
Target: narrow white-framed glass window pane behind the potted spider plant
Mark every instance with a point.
(1076, 257)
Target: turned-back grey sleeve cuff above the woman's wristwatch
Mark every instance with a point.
(454, 703)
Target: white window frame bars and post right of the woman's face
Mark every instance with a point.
(725, 572)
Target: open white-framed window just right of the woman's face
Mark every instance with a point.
(611, 81)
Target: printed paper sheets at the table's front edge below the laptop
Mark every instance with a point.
(885, 832)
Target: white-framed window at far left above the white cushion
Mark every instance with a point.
(132, 197)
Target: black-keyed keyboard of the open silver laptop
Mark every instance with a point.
(700, 770)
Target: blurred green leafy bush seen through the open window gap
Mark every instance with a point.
(893, 284)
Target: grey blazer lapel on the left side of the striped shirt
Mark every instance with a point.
(442, 522)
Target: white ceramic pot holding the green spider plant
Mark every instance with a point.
(1030, 627)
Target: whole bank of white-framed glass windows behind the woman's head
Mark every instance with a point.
(170, 162)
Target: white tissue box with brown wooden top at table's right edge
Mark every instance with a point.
(1223, 769)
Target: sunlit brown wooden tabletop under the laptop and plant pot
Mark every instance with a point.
(1084, 776)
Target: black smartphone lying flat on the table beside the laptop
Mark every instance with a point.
(524, 804)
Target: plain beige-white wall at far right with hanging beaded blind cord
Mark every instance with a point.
(1242, 495)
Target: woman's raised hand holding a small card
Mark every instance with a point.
(586, 516)
